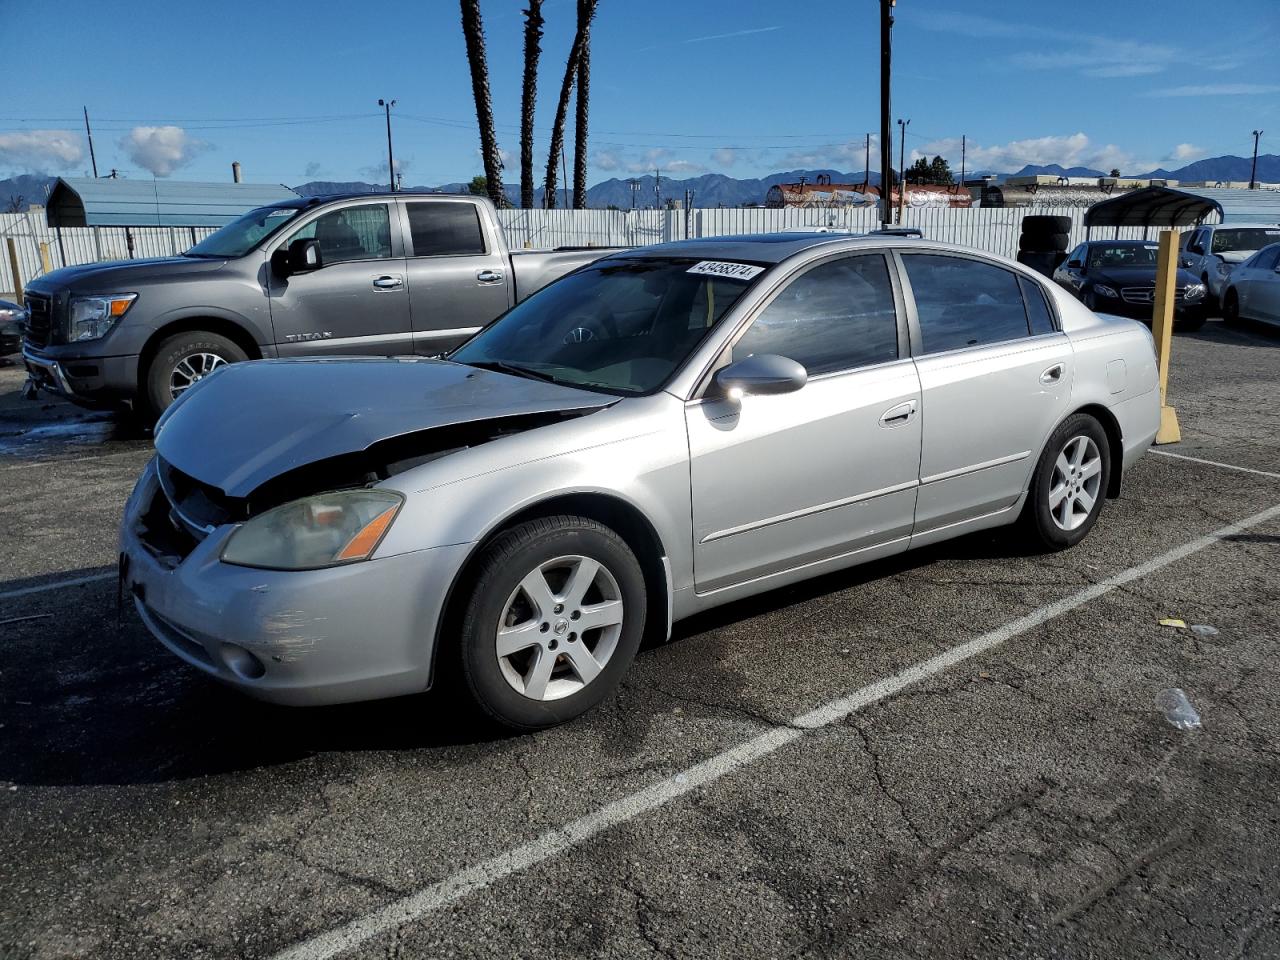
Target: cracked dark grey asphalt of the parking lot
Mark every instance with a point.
(1027, 803)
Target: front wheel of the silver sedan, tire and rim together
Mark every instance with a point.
(555, 619)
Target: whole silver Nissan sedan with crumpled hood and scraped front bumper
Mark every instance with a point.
(662, 432)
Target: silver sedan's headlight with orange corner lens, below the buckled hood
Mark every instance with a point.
(326, 531)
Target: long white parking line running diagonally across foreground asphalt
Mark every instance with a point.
(418, 906)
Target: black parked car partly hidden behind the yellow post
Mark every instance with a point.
(1119, 277)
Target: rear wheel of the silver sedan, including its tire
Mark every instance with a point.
(1069, 484)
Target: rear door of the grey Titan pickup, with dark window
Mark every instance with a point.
(459, 276)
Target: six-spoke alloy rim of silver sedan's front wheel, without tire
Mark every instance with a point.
(560, 628)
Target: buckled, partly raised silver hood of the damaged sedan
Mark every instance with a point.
(254, 422)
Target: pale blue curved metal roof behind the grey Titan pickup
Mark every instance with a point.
(83, 202)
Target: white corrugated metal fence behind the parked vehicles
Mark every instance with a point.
(993, 230)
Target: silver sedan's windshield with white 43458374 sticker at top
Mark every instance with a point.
(618, 326)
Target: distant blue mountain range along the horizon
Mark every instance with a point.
(710, 190)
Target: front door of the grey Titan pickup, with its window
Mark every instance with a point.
(358, 301)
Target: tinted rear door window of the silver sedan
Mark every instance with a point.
(964, 303)
